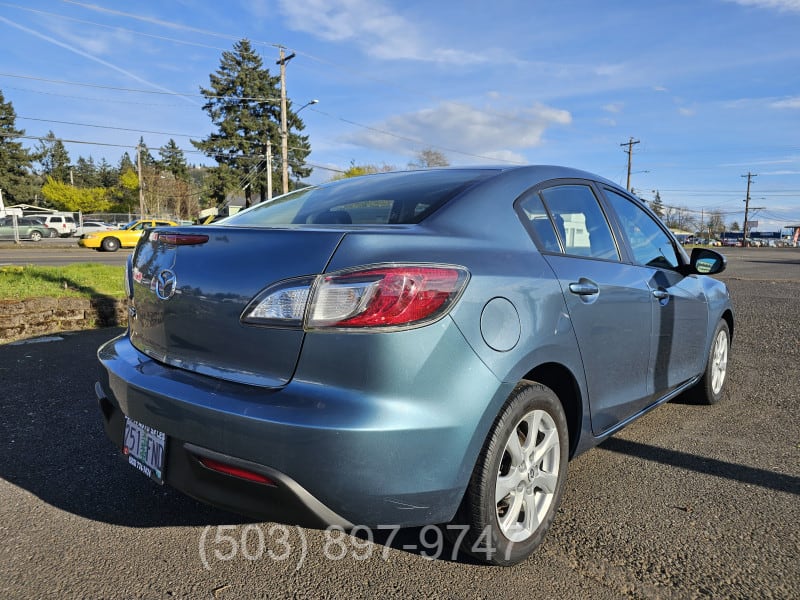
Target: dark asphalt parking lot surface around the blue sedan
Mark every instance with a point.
(689, 501)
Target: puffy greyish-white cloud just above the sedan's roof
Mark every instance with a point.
(463, 132)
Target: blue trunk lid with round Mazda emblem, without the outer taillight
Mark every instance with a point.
(191, 284)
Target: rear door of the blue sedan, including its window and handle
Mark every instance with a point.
(609, 302)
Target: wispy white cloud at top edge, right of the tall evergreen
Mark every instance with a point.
(381, 32)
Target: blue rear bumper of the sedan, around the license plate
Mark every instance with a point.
(337, 455)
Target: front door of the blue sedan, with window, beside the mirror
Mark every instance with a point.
(680, 311)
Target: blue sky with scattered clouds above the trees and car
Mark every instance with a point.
(709, 89)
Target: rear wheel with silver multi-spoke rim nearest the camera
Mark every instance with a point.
(516, 485)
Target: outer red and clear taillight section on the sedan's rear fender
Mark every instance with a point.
(383, 297)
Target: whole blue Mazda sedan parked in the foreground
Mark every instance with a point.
(420, 348)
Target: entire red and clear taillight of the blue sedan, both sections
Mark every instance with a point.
(376, 298)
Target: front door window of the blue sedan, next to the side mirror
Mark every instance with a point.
(651, 245)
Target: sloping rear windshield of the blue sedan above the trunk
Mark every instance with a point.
(384, 199)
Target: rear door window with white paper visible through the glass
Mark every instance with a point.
(580, 222)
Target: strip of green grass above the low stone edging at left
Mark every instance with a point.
(84, 280)
